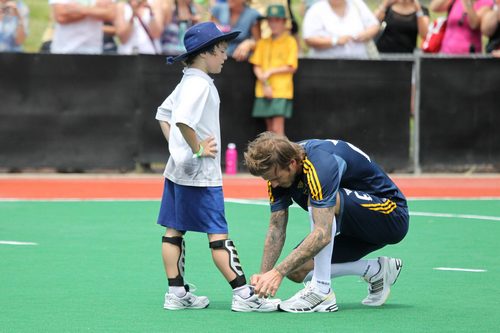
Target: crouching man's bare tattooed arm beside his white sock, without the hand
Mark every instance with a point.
(313, 243)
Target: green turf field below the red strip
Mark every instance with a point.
(97, 268)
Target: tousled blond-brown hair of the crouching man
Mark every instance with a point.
(269, 150)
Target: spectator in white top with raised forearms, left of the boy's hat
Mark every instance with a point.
(139, 24)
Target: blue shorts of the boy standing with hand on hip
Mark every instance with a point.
(190, 208)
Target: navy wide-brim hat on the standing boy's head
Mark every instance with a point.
(202, 35)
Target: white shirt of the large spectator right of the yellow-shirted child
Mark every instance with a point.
(321, 20)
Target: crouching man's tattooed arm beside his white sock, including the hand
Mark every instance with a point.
(269, 282)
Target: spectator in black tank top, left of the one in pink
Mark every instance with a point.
(404, 21)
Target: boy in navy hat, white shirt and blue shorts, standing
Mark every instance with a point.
(192, 198)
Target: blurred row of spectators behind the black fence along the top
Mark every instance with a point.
(321, 28)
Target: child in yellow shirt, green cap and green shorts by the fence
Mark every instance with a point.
(275, 60)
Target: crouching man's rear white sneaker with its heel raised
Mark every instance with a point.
(379, 285)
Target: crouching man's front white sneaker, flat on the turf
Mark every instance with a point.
(310, 300)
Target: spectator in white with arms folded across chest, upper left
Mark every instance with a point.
(79, 25)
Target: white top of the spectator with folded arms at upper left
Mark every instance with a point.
(84, 36)
